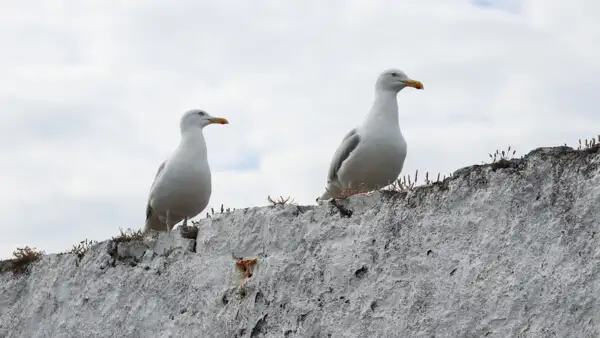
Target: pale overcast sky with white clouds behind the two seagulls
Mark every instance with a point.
(91, 94)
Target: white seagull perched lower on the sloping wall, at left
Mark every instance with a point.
(182, 185)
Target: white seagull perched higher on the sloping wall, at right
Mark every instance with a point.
(372, 155)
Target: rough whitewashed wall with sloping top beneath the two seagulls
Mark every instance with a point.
(505, 250)
